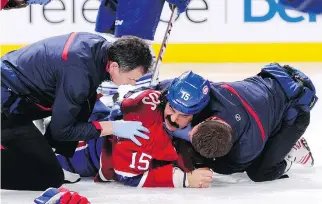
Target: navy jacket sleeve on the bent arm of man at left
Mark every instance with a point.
(72, 107)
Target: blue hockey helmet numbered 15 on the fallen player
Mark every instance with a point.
(189, 93)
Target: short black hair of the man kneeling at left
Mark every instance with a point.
(130, 52)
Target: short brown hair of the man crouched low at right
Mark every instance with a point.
(213, 139)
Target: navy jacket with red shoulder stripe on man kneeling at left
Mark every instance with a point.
(60, 74)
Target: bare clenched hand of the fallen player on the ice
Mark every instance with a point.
(200, 178)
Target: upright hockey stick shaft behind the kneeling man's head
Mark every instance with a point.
(155, 76)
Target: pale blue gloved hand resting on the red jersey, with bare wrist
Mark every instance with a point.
(125, 129)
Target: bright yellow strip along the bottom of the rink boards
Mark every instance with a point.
(230, 52)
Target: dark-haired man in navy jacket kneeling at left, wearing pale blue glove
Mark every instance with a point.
(58, 77)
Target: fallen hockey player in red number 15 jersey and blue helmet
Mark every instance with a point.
(156, 163)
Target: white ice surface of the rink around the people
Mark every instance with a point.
(303, 186)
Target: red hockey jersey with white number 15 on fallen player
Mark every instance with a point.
(132, 164)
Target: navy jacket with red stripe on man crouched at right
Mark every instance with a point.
(254, 108)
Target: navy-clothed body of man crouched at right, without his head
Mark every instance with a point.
(264, 113)
